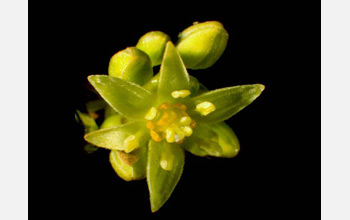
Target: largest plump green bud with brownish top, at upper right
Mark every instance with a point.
(202, 44)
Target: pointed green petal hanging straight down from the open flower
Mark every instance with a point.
(161, 183)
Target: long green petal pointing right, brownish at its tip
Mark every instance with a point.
(227, 101)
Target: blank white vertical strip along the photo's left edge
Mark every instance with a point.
(14, 109)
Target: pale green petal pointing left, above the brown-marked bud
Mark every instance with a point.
(114, 138)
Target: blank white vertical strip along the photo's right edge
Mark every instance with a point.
(335, 113)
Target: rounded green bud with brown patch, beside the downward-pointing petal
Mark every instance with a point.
(129, 166)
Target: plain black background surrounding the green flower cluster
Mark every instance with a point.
(277, 172)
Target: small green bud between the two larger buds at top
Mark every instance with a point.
(153, 43)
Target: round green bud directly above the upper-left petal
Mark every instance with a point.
(131, 64)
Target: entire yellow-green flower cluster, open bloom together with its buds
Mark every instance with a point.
(154, 120)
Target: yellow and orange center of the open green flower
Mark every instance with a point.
(170, 122)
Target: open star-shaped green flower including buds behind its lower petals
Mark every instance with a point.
(157, 122)
